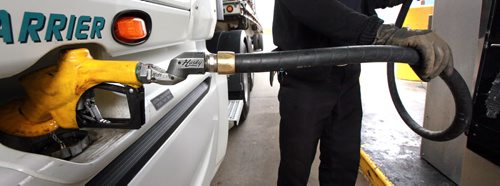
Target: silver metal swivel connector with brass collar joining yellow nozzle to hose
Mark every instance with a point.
(185, 64)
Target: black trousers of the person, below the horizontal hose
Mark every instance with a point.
(329, 112)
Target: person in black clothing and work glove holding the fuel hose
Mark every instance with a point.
(323, 104)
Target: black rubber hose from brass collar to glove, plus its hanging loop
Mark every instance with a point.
(286, 60)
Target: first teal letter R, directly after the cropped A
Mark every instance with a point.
(30, 28)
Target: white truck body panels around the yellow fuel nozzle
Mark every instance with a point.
(191, 153)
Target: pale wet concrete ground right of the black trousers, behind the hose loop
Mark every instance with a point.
(386, 138)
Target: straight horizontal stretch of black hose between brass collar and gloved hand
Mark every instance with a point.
(296, 59)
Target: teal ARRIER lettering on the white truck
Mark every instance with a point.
(57, 27)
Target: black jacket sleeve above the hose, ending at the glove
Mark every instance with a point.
(334, 20)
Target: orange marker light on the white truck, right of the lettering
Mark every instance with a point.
(130, 29)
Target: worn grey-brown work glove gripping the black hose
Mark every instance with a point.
(435, 53)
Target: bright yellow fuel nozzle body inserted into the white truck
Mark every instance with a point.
(53, 92)
